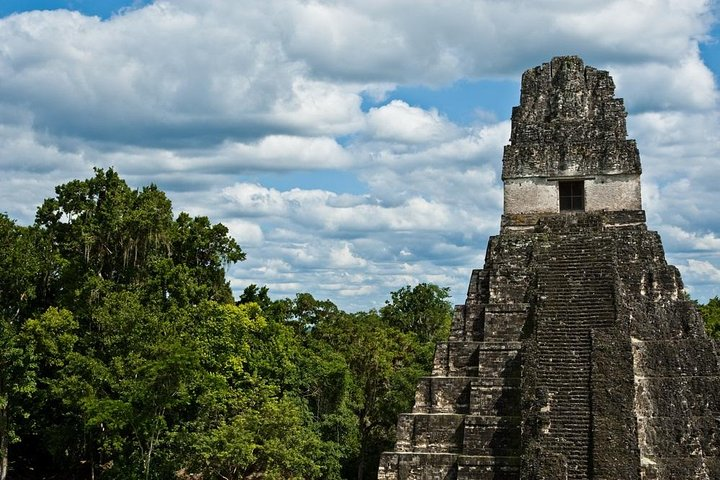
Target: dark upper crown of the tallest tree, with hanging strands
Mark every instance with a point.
(109, 235)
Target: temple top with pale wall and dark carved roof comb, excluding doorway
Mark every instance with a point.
(569, 126)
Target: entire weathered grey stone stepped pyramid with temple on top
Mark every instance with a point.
(576, 354)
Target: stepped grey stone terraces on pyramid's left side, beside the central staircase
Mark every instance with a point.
(465, 423)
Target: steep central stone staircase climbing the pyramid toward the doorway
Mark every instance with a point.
(576, 295)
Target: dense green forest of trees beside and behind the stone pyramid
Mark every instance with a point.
(124, 354)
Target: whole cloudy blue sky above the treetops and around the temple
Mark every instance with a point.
(352, 147)
